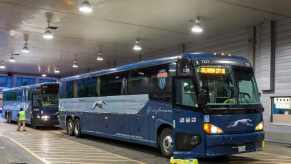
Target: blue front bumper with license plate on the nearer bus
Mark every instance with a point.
(219, 145)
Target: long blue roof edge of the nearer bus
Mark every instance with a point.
(154, 62)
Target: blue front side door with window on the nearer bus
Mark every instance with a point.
(187, 121)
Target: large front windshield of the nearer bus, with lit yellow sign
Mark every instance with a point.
(229, 85)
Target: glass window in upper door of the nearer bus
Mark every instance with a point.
(185, 92)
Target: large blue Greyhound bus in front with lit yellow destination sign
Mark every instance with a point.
(194, 104)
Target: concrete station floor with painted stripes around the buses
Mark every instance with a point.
(54, 147)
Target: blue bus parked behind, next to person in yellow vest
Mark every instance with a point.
(40, 101)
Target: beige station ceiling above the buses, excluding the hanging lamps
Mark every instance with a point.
(114, 25)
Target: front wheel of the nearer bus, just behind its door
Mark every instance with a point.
(166, 142)
